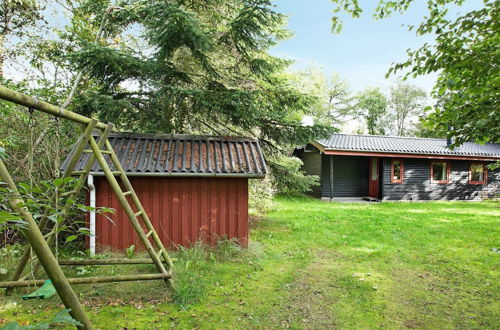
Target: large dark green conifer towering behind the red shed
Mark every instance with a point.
(181, 79)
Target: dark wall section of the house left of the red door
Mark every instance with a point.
(350, 176)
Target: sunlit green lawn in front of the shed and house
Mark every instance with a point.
(312, 264)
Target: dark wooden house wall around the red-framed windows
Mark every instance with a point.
(417, 185)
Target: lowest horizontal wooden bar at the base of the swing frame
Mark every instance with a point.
(88, 280)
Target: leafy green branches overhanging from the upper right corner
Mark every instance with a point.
(465, 55)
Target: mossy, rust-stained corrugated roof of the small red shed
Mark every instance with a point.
(183, 155)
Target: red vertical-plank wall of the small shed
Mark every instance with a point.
(182, 210)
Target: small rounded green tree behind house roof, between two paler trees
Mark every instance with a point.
(371, 105)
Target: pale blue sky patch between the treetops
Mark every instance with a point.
(363, 51)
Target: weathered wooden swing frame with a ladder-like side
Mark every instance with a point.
(99, 149)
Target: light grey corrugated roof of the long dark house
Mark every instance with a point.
(406, 145)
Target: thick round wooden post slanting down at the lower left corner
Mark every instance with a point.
(44, 254)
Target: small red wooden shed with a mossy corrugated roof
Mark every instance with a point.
(193, 187)
